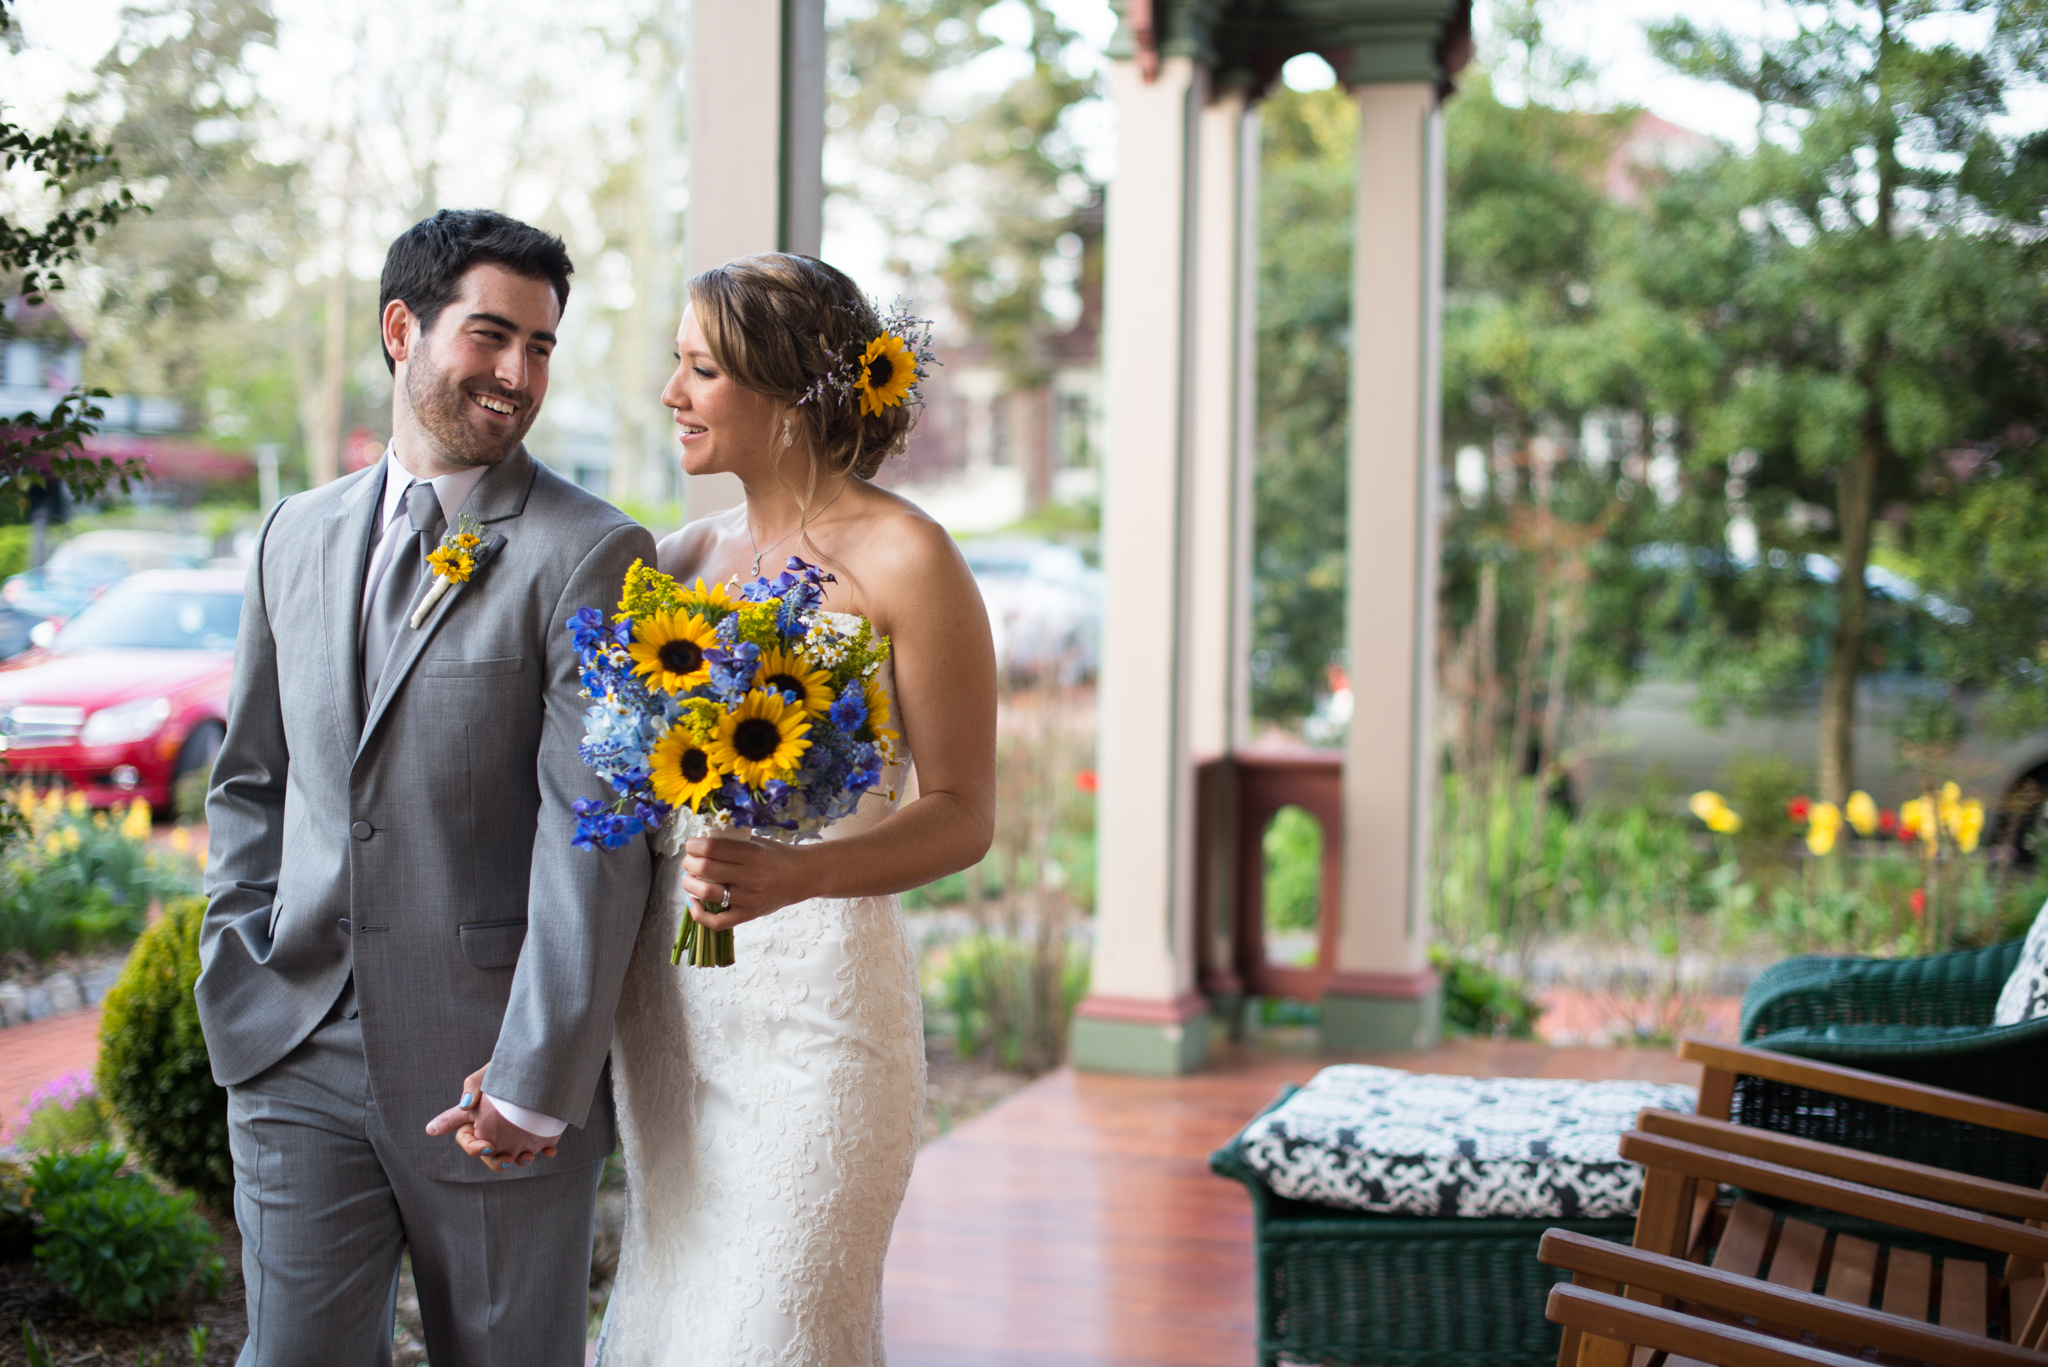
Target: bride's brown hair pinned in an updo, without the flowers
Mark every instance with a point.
(783, 323)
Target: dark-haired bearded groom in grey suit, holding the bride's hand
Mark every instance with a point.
(394, 895)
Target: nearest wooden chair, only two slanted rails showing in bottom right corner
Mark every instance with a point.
(1730, 1321)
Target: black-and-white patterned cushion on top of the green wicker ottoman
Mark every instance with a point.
(1420, 1145)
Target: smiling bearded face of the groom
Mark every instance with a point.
(476, 378)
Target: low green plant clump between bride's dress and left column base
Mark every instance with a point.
(1009, 999)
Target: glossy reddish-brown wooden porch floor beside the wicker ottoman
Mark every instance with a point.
(1078, 1225)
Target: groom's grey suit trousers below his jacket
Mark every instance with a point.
(327, 1208)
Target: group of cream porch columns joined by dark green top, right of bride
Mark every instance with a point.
(1179, 331)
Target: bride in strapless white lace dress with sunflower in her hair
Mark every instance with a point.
(771, 1110)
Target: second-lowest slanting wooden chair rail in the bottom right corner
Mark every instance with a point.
(1773, 1304)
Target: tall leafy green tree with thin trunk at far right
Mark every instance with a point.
(1850, 335)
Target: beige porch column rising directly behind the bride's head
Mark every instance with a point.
(757, 151)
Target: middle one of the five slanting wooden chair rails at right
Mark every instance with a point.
(1834, 1196)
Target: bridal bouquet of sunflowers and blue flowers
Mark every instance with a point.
(716, 710)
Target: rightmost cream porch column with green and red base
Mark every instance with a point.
(1383, 995)
